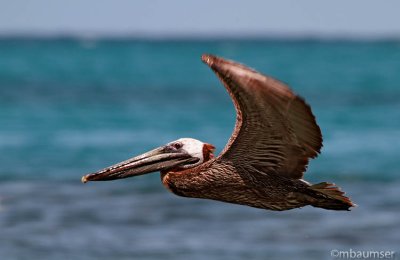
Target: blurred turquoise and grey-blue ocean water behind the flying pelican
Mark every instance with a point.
(68, 107)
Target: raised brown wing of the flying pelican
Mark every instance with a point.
(275, 129)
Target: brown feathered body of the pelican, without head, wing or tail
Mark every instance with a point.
(225, 182)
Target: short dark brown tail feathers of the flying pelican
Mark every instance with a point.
(328, 196)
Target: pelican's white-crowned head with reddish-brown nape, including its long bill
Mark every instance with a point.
(178, 155)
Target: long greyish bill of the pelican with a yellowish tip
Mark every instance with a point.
(152, 161)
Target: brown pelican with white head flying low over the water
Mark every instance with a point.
(263, 163)
